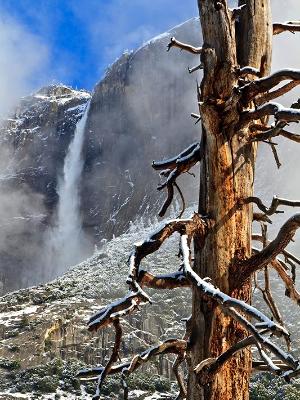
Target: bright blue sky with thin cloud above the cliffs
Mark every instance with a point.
(81, 38)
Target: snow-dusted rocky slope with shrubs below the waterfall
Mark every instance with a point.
(44, 339)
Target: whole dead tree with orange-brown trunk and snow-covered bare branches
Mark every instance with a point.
(234, 104)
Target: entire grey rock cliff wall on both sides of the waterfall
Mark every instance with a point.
(133, 119)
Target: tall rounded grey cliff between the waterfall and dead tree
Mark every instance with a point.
(134, 119)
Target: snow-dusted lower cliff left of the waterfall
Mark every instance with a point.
(33, 145)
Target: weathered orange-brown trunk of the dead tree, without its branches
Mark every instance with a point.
(227, 175)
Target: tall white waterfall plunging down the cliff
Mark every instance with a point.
(68, 244)
